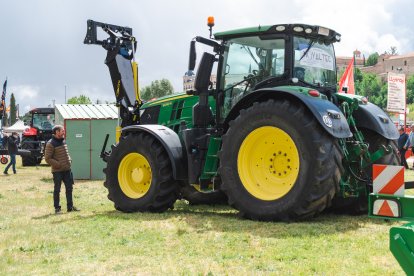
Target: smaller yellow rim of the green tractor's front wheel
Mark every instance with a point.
(134, 175)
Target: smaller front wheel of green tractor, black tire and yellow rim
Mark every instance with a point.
(139, 175)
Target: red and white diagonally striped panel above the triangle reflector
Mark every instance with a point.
(388, 180)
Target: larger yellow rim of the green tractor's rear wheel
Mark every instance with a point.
(268, 163)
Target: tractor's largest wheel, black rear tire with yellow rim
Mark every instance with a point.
(277, 163)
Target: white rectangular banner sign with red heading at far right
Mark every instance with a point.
(396, 93)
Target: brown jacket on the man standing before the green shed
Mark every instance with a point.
(57, 155)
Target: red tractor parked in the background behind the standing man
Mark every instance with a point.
(35, 138)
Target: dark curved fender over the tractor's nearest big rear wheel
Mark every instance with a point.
(328, 115)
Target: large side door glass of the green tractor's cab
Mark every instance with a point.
(248, 61)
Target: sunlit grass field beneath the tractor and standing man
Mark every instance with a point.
(189, 240)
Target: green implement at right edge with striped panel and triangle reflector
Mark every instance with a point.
(389, 201)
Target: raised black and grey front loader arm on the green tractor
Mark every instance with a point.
(120, 46)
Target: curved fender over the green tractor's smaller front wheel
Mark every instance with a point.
(171, 143)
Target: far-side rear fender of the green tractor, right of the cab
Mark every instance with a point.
(371, 117)
